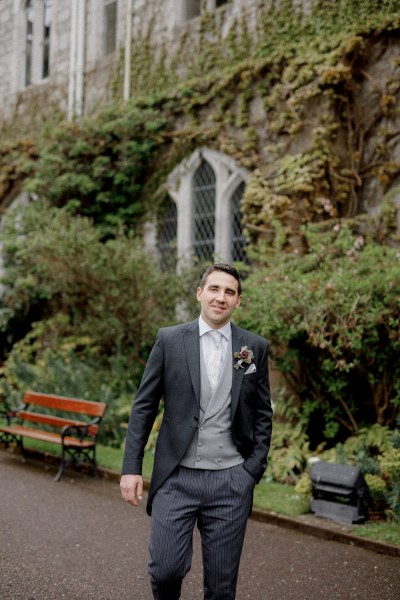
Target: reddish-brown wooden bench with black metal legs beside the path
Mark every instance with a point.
(76, 436)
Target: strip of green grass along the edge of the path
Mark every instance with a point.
(275, 497)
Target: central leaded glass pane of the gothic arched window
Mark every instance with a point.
(203, 233)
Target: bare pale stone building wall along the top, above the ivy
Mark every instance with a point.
(71, 48)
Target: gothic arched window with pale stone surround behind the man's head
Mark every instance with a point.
(207, 188)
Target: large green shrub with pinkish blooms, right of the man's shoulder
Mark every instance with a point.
(332, 317)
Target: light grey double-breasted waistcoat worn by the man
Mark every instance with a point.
(212, 446)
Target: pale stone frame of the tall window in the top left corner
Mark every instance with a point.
(38, 42)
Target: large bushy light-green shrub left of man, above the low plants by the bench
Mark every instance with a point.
(109, 296)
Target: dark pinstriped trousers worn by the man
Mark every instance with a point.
(220, 503)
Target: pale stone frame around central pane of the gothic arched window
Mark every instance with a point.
(229, 175)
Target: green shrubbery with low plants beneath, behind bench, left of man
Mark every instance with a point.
(90, 310)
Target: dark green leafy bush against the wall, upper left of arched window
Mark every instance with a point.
(99, 167)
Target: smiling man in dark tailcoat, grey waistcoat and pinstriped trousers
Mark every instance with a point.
(213, 442)
